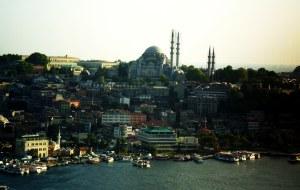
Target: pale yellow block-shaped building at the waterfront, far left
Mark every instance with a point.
(32, 144)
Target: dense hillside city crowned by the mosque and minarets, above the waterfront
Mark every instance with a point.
(65, 106)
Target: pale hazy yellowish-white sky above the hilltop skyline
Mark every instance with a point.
(244, 33)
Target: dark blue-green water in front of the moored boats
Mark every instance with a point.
(266, 173)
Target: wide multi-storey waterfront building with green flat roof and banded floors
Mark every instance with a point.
(158, 138)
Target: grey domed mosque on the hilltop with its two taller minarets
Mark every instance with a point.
(154, 63)
